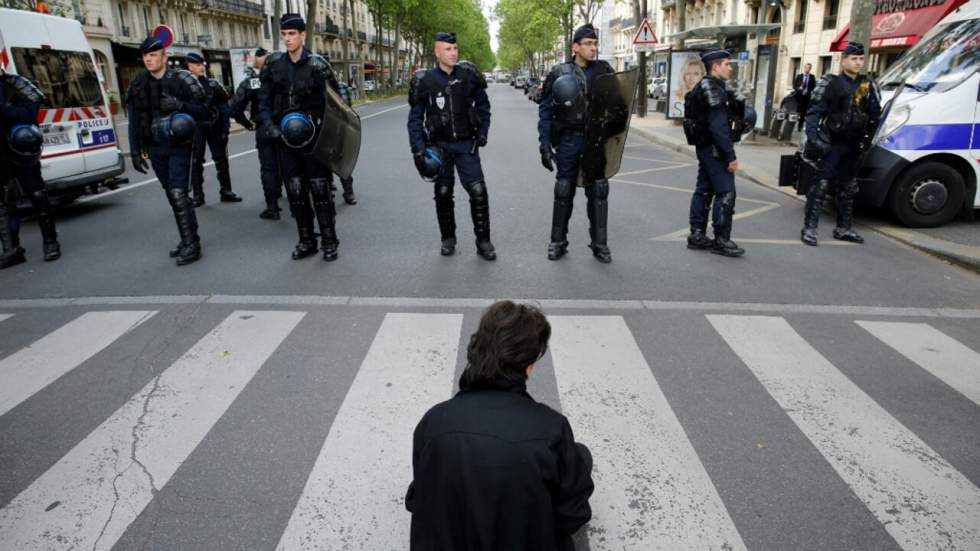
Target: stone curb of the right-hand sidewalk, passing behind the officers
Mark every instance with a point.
(961, 255)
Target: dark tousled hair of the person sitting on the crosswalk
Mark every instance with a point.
(510, 338)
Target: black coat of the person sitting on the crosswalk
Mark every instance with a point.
(495, 470)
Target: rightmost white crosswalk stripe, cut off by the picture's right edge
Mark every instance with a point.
(948, 359)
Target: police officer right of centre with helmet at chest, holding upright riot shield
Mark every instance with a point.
(562, 118)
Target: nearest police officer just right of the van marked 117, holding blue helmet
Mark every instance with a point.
(164, 106)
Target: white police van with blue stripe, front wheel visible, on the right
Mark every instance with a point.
(925, 165)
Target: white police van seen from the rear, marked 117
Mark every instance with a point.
(80, 140)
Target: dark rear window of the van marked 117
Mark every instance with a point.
(68, 79)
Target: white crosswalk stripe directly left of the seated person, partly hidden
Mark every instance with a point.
(354, 496)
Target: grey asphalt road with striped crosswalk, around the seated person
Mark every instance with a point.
(796, 398)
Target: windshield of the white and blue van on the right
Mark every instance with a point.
(942, 60)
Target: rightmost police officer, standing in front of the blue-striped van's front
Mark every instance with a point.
(842, 117)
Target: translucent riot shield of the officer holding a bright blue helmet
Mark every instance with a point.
(339, 142)
